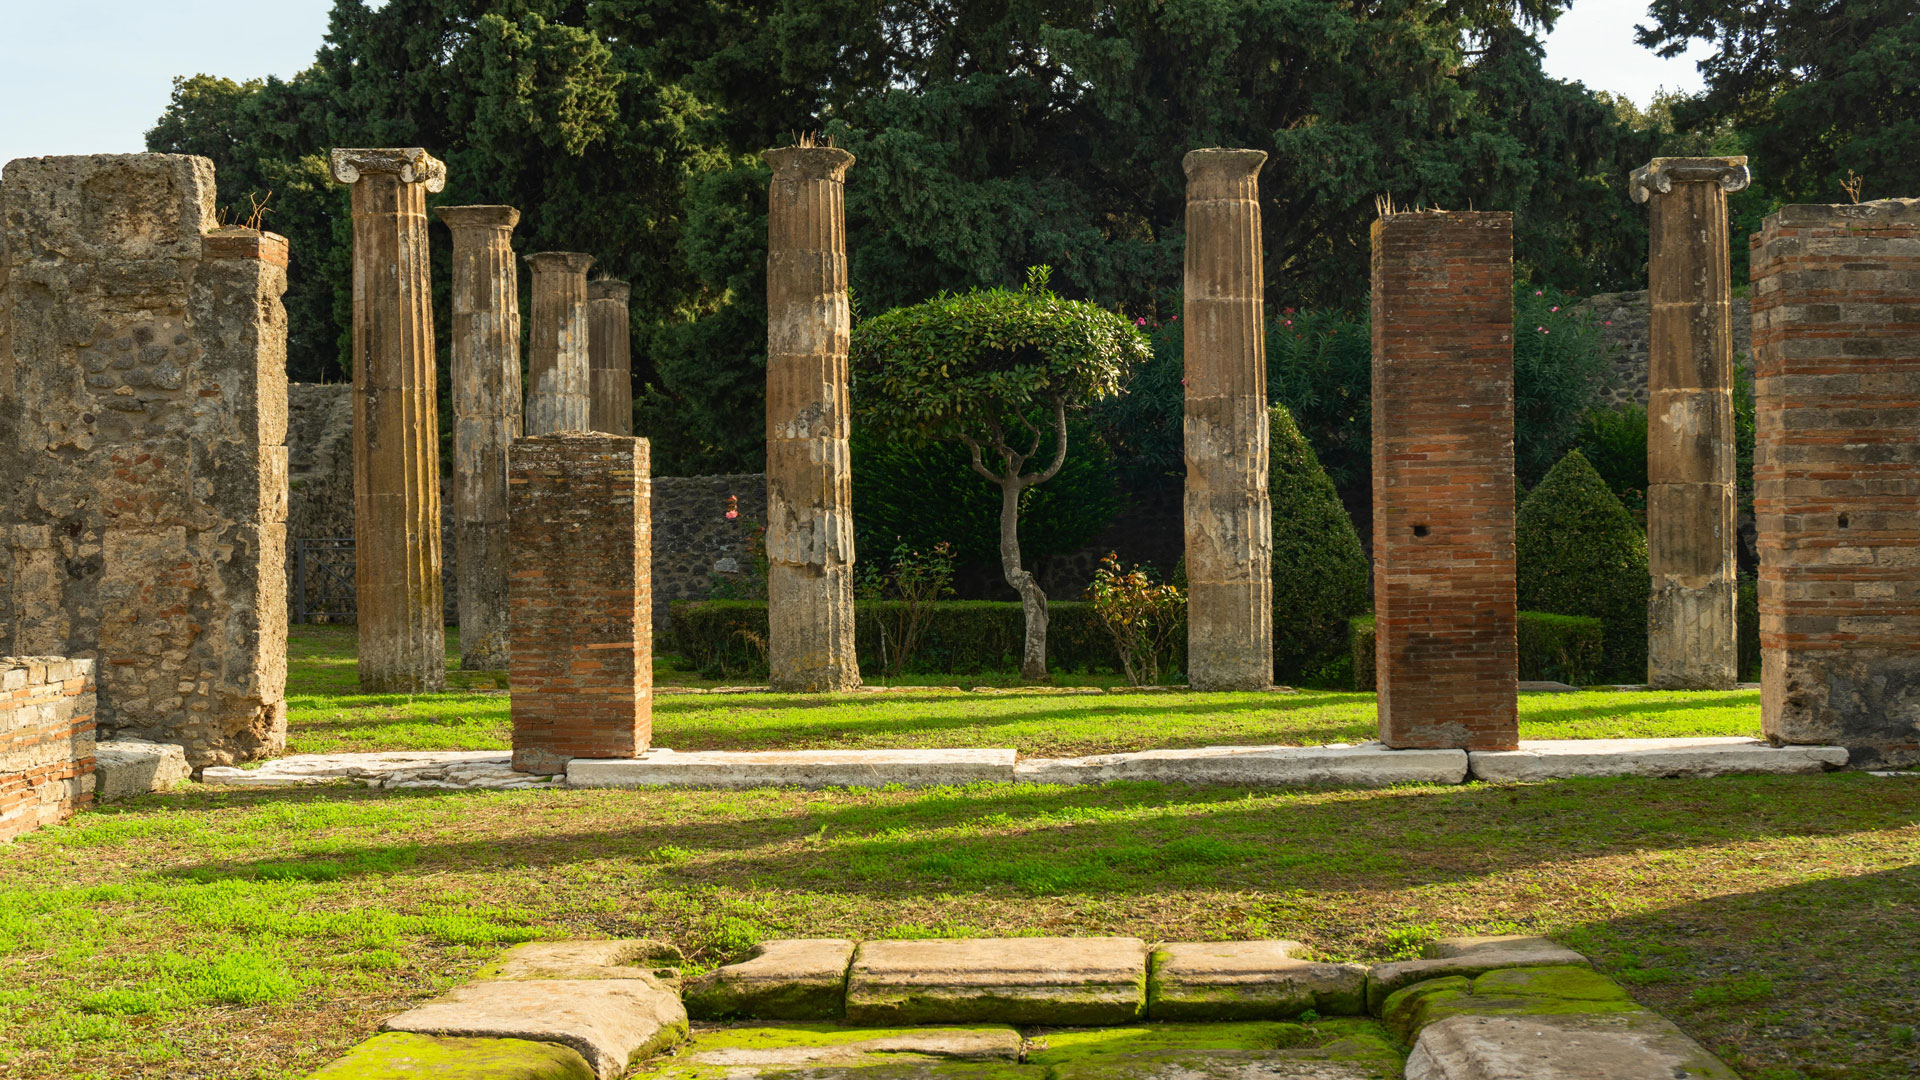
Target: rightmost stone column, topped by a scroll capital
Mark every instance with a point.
(1691, 424)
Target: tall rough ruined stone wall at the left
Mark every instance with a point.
(143, 426)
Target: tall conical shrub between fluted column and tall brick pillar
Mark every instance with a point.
(1320, 570)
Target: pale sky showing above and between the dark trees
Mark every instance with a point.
(93, 76)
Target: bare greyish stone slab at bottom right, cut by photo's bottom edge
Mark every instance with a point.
(1610, 1046)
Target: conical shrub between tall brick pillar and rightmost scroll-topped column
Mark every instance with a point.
(1581, 554)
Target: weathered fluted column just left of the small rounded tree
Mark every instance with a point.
(809, 485)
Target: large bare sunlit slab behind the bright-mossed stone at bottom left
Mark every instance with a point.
(610, 1021)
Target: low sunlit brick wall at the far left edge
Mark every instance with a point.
(47, 741)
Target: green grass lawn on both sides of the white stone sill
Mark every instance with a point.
(256, 935)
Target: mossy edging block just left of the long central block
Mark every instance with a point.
(784, 981)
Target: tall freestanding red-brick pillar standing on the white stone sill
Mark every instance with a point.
(1443, 481)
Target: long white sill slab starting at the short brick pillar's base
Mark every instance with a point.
(794, 768)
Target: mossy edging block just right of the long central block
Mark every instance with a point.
(1249, 981)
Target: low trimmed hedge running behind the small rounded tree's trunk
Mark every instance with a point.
(727, 639)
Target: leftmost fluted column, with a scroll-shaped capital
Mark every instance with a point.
(396, 431)
